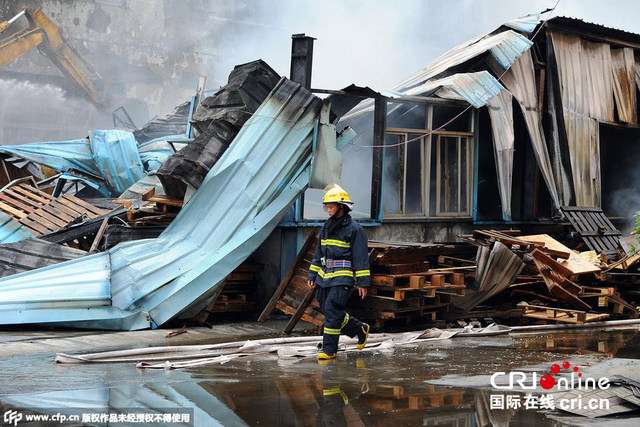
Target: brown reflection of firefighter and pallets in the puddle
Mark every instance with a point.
(351, 392)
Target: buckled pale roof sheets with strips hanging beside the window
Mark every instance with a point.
(506, 55)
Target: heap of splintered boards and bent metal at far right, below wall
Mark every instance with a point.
(548, 281)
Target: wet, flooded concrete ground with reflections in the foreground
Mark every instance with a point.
(376, 388)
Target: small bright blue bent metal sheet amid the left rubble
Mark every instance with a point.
(116, 155)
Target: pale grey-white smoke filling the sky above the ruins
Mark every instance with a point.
(154, 51)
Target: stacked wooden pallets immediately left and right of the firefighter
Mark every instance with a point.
(403, 288)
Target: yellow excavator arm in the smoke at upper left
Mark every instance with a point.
(48, 38)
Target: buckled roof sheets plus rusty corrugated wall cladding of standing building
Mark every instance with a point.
(596, 73)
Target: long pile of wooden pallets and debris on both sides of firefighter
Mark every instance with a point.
(518, 279)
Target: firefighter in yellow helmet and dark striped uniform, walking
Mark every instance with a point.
(339, 266)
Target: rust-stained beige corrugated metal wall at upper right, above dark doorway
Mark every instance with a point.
(593, 77)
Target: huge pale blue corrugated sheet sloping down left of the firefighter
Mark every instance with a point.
(241, 201)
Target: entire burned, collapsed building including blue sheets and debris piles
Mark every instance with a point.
(507, 130)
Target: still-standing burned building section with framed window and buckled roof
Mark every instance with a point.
(505, 130)
